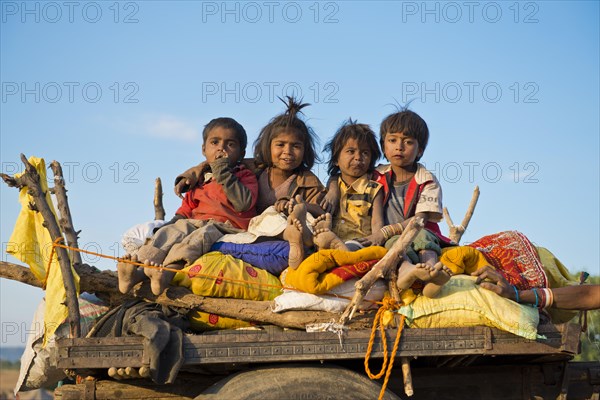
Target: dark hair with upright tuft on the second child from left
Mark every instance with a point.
(288, 121)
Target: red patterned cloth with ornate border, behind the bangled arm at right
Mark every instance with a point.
(513, 255)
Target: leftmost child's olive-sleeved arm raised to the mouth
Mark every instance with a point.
(241, 192)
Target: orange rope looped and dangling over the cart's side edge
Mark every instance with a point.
(386, 368)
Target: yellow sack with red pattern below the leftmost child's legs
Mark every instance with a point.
(221, 275)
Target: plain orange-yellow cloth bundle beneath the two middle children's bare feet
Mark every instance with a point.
(312, 275)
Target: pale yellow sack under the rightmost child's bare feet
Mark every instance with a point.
(462, 303)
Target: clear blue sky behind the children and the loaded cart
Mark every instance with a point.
(118, 92)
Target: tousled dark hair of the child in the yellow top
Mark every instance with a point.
(362, 133)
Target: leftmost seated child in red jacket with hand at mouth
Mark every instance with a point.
(223, 201)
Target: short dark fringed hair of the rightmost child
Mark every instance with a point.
(407, 122)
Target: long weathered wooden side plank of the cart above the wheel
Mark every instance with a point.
(276, 345)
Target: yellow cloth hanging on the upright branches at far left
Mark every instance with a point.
(31, 243)
